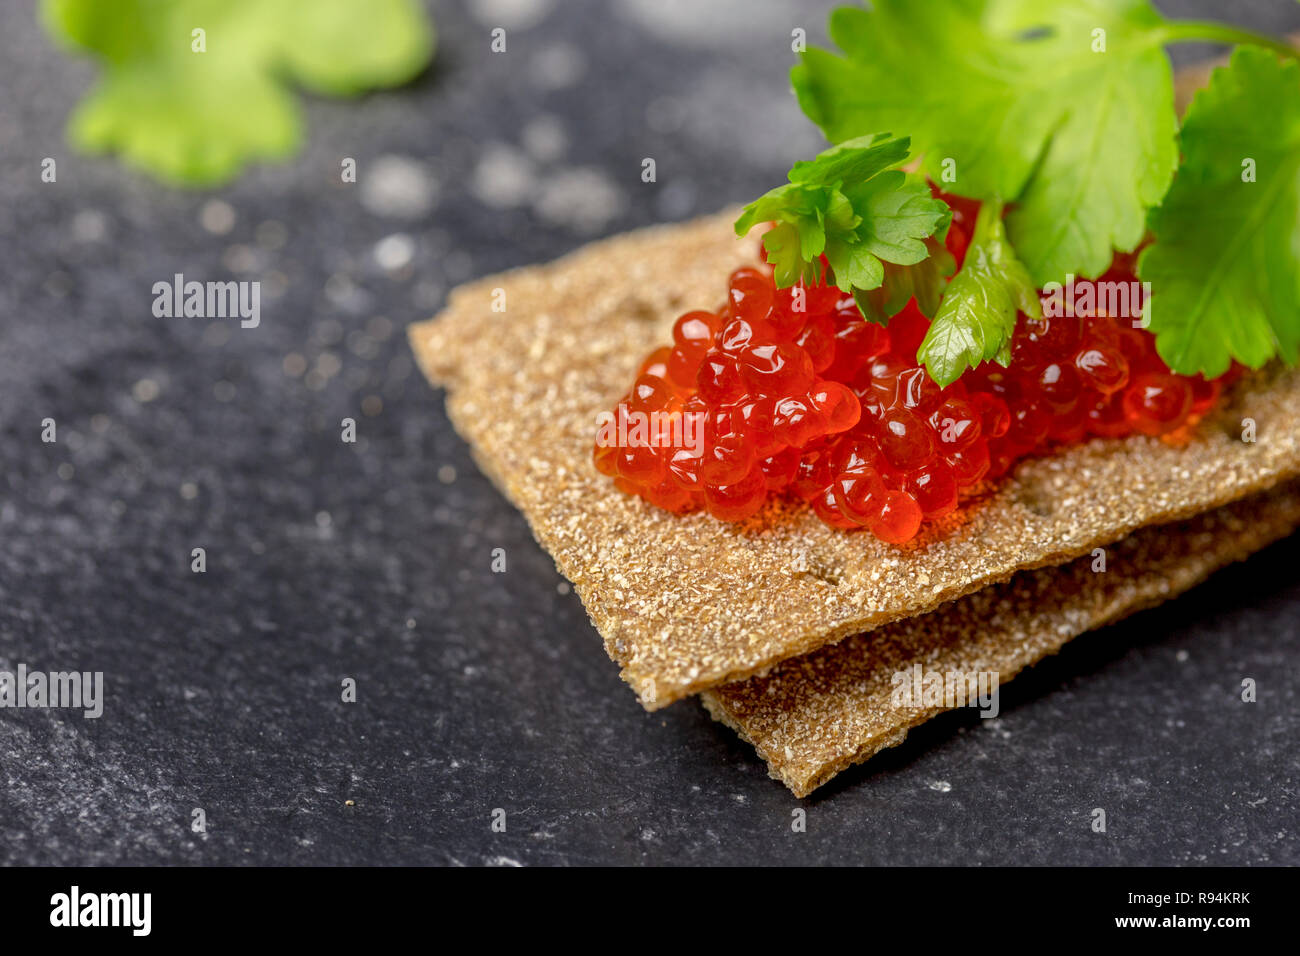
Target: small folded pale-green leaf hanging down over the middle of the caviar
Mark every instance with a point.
(977, 317)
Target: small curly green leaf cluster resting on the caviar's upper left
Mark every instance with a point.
(853, 206)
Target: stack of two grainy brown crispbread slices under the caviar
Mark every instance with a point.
(756, 616)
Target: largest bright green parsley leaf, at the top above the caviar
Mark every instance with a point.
(1015, 93)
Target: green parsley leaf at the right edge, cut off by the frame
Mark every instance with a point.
(1223, 270)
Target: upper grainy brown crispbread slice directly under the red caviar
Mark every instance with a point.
(686, 604)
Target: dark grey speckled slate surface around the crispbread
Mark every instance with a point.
(479, 691)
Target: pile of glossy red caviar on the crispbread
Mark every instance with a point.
(791, 392)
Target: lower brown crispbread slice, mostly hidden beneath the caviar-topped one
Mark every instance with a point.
(821, 713)
